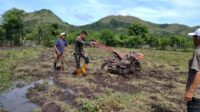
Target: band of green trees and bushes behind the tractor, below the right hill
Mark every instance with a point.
(139, 36)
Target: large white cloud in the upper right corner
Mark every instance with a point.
(164, 11)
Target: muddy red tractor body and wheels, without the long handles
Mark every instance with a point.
(128, 66)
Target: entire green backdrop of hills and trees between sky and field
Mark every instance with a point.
(43, 27)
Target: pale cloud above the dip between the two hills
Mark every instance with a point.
(91, 10)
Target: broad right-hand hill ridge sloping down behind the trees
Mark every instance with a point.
(121, 23)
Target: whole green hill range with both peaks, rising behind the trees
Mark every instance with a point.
(117, 24)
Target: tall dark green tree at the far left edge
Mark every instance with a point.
(13, 25)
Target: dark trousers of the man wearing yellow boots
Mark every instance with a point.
(78, 57)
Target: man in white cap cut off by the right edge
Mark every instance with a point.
(192, 94)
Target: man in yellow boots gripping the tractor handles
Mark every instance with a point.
(79, 53)
